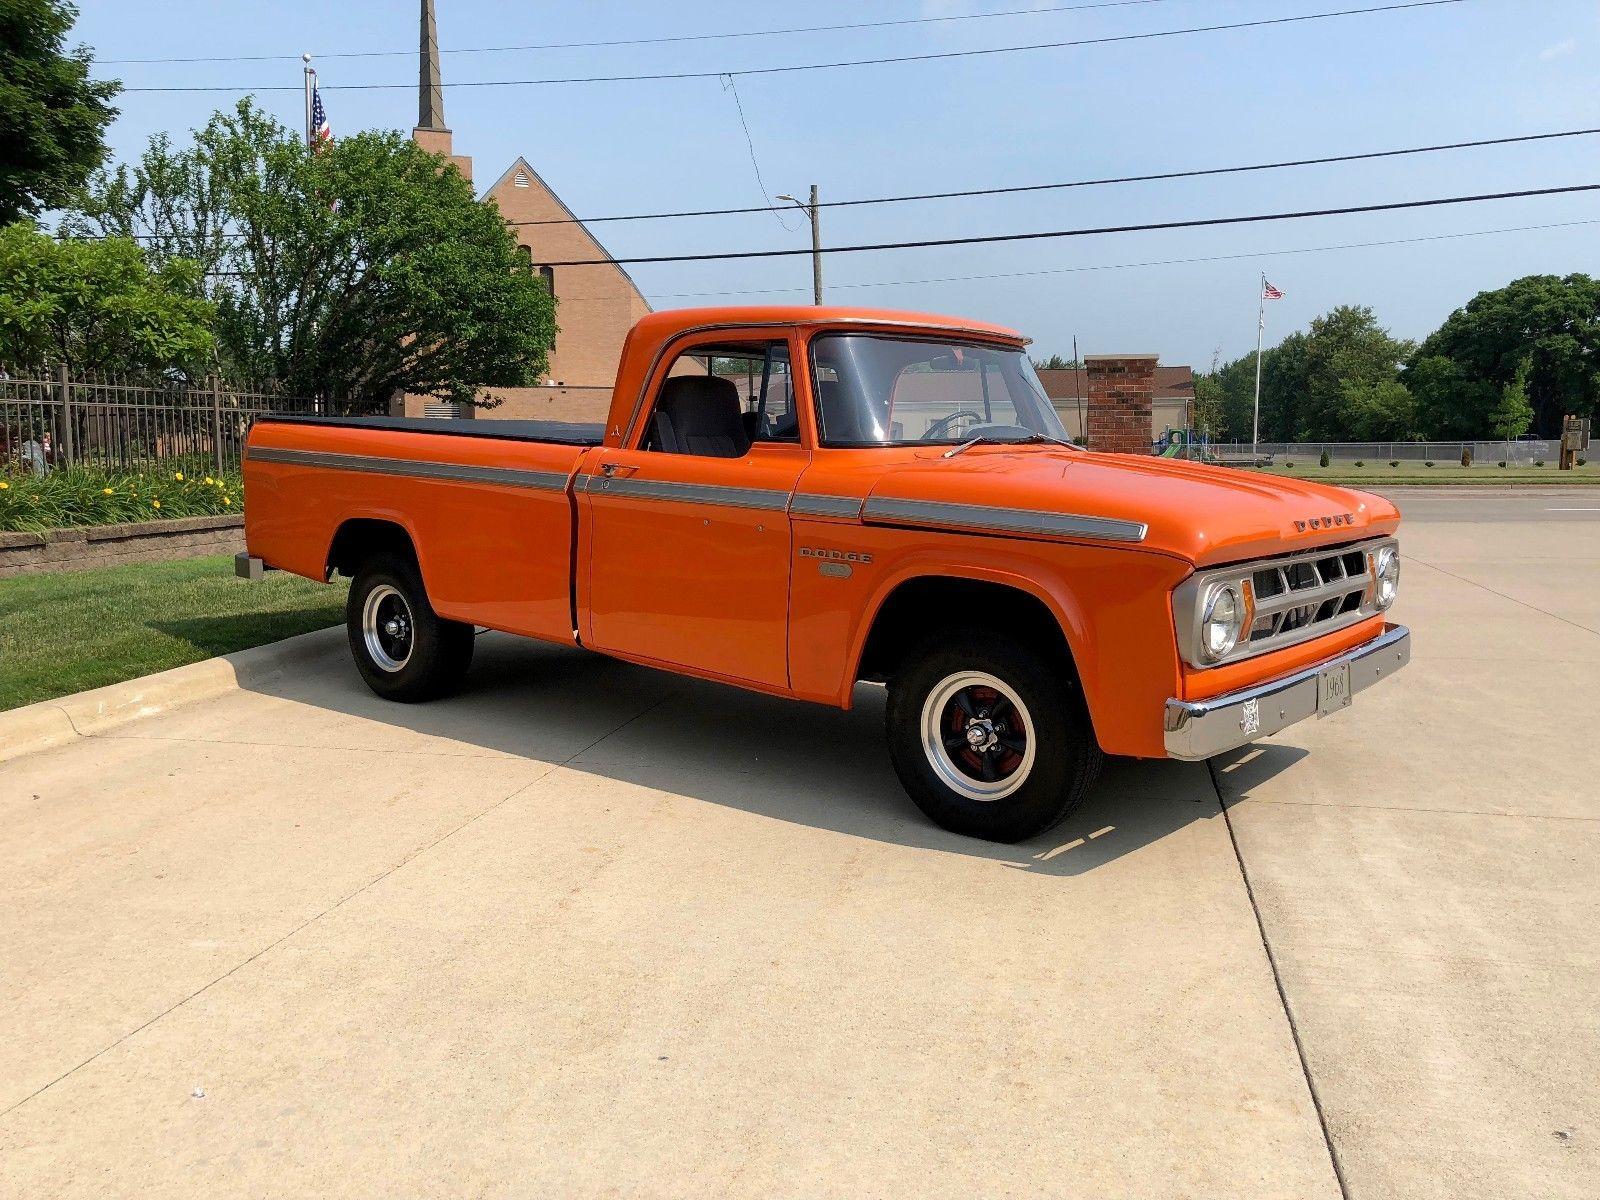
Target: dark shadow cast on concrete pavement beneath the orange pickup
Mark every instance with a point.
(804, 764)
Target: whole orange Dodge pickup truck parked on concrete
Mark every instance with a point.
(798, 500)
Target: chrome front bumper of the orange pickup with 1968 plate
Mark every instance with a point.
(1199, 729)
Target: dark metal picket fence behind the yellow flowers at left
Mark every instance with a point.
(60, 418)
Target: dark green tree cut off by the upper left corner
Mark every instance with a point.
(54, 116)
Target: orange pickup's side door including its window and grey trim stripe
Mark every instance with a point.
(689, 540)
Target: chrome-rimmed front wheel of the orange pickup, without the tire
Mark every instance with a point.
(978, 735)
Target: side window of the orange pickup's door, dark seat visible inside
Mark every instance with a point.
(719, 401)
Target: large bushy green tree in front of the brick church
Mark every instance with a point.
(359, 271)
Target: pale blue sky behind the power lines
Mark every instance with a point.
(1479, 70)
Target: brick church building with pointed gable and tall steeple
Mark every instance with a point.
(596, 305)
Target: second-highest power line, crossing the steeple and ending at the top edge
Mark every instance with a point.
(839, 63)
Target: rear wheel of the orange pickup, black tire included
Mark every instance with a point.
(423, 657)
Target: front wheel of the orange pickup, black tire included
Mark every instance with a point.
(942, 697)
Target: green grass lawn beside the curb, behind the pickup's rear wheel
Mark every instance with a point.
(82, 630)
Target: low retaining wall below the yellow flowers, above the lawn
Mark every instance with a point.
(116, 545)
